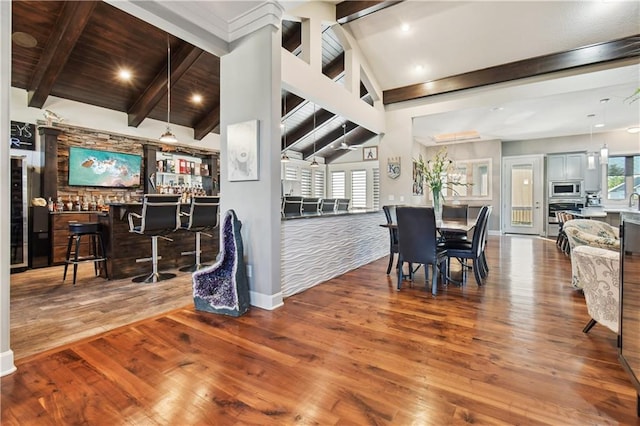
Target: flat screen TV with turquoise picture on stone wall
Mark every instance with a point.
(91, 167)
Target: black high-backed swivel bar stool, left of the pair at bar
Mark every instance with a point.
(160, 217)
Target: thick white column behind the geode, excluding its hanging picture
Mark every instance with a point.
(250, 81)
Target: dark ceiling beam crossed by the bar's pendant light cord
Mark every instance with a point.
(181, 60)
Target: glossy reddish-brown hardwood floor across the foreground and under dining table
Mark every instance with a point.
(350, 351)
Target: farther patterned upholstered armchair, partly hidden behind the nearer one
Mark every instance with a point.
(591, 233)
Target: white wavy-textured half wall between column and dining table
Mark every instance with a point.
(319, 246)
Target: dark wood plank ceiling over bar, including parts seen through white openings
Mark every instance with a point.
(80, 47)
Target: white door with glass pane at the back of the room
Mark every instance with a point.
(522, 195)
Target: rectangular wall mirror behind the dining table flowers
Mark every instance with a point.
(476, 173)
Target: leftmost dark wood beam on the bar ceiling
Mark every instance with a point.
(70, 25)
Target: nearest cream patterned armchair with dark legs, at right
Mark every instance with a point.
(598, 273)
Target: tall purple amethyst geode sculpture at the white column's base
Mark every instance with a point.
(223, 288)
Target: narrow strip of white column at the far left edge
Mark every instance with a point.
(6, 354)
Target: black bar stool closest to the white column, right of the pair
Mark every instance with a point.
(201, 218)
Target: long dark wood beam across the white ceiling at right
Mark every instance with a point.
(583, 56)
